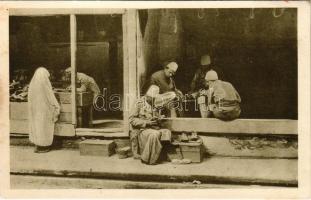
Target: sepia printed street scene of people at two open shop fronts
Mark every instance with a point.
(156, 98)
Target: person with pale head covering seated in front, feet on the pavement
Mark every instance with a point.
(146, 134)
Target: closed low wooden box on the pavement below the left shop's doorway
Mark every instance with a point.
(97, 147)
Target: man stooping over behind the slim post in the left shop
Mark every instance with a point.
(88, 84)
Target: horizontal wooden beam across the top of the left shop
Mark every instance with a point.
(62, 11)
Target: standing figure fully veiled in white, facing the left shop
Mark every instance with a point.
(43, 110)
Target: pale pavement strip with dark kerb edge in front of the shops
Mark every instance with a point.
(69, 163)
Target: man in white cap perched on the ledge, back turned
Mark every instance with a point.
(223, 101)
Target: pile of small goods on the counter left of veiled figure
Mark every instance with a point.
(19, 86)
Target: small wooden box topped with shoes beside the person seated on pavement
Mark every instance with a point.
(186, 148)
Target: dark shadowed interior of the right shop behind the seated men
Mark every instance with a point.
(256, 50)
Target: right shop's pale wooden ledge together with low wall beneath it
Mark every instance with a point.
(242, 137)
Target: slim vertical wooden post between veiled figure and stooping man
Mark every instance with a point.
(73, 50)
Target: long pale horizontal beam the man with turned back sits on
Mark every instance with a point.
(238, 126)
